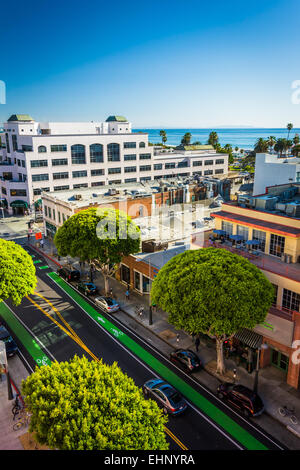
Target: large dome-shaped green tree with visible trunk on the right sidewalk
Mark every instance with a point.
(212, 291)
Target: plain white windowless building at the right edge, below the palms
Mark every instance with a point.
(271, 170)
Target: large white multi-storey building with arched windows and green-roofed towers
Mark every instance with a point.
(56, 156)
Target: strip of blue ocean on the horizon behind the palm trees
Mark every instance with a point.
(237, 137)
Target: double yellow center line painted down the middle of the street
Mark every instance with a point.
(71, 333)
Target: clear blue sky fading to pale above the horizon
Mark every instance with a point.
(160, 63)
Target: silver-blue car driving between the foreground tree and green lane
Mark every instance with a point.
(166, 396)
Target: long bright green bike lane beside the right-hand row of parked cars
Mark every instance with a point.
(221, 419)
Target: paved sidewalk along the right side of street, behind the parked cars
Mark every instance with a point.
(272, 386)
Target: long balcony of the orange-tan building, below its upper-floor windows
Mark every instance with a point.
(262, 261)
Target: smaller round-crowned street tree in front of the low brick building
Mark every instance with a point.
(102, 235)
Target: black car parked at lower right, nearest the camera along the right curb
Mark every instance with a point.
(242, 398)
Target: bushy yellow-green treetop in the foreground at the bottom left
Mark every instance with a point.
(88, 405)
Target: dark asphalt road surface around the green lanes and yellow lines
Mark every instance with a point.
(193, 430)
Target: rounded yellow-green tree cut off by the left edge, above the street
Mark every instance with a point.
(17, 272)
